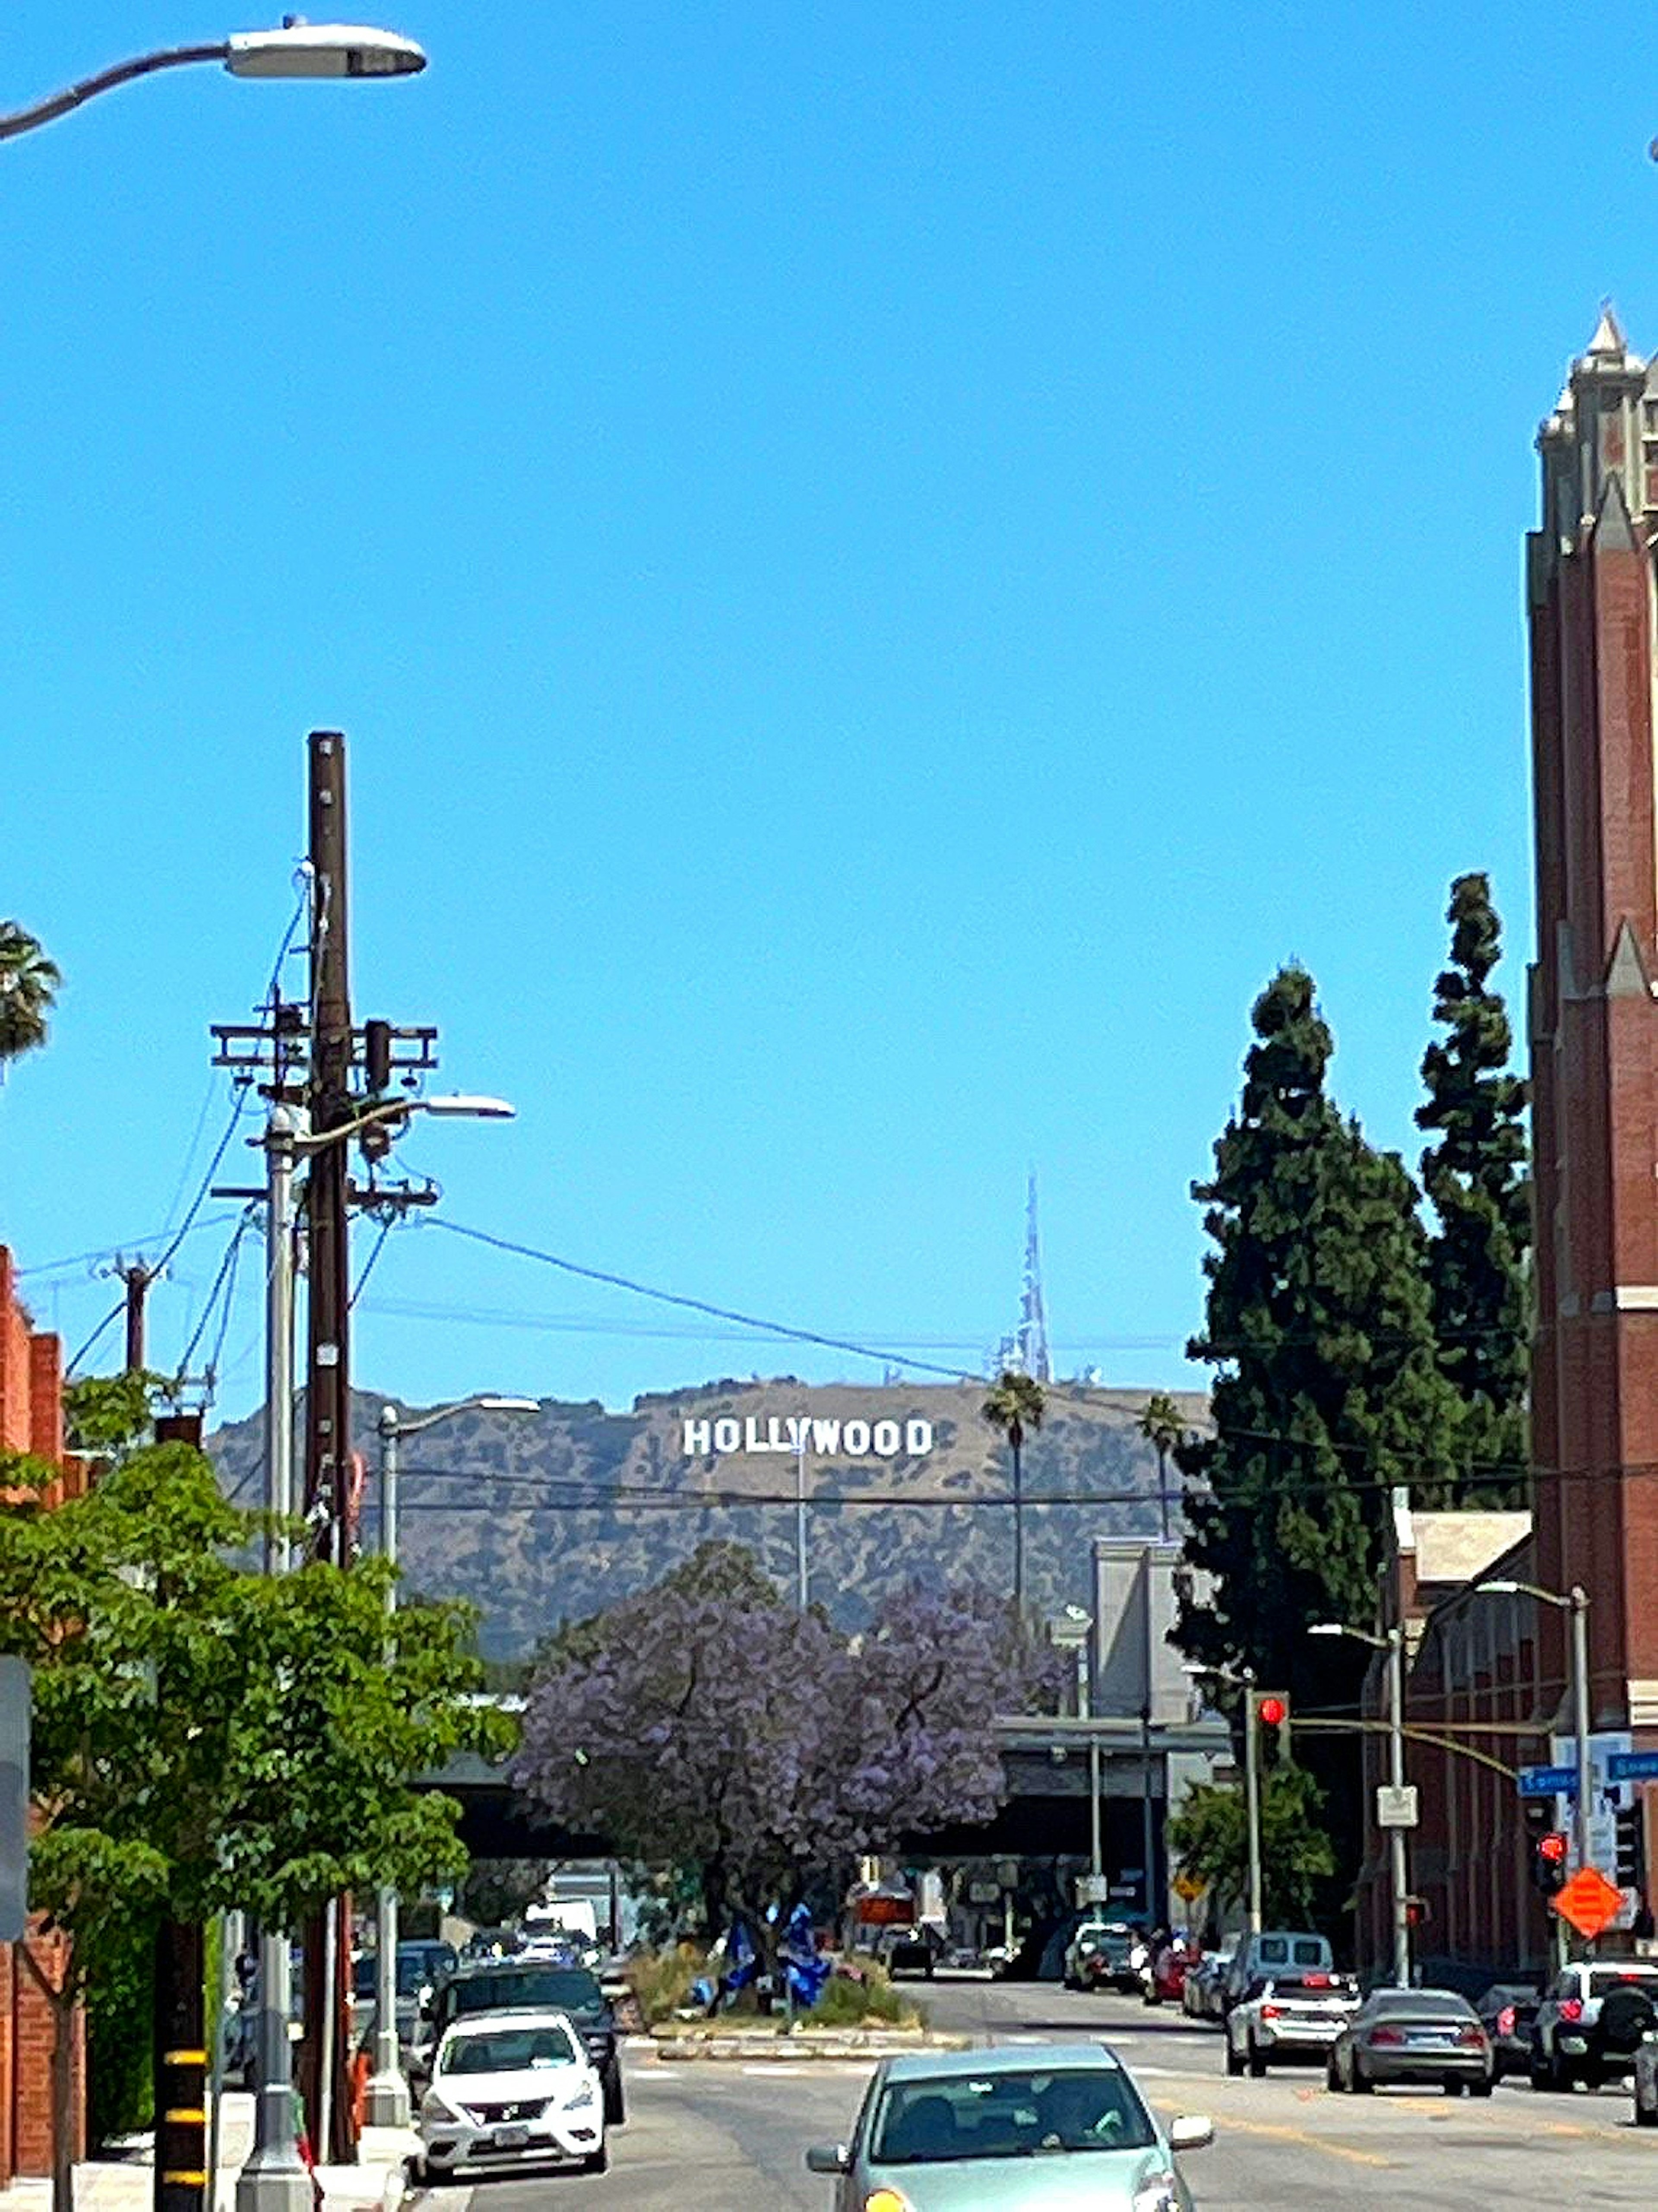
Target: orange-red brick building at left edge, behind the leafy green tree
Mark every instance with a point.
(32, 1419)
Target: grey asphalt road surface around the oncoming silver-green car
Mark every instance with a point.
(731, 2138)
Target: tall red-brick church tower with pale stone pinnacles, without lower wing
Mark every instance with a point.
(1593, 1016)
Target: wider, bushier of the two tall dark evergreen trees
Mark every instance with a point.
(1328, 1386)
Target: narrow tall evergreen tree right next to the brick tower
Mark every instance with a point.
(1476, 1178)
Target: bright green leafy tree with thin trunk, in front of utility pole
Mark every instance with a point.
(209, 1738)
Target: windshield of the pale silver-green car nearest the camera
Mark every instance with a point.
(1009, 2116)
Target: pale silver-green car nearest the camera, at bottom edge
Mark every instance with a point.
(1011, 2129)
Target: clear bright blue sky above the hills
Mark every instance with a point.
(881, 567)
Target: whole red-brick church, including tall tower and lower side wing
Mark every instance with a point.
(1496, 1660)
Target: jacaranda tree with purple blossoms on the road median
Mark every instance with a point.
(706, 1724)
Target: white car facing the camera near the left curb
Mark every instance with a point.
(512, 2089)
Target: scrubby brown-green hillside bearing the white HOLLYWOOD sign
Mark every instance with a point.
(554, 1514)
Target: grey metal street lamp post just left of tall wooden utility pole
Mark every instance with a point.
(273, 2180)
